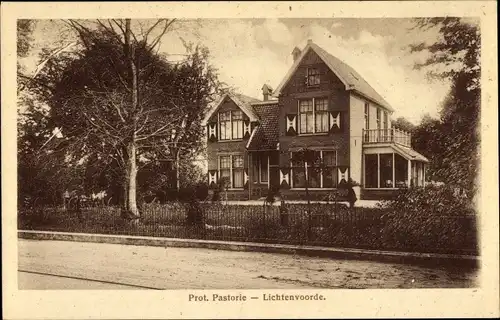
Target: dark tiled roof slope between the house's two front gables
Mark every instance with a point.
(266, 135)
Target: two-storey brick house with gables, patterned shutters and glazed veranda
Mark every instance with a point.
(324, 106)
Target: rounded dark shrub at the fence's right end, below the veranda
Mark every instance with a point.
(428, 218)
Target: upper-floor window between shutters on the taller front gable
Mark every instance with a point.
(313, 116)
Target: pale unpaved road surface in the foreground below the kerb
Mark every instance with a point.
(79, 265)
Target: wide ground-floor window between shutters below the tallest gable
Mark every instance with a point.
(322, 173)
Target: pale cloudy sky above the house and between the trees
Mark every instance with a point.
(251, 52)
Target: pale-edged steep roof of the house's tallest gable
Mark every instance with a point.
(349, 77)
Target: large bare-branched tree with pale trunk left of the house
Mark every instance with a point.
(121, 101)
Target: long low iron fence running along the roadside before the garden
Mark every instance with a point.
(332, 225)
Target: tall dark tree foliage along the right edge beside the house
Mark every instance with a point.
(455, 56)
